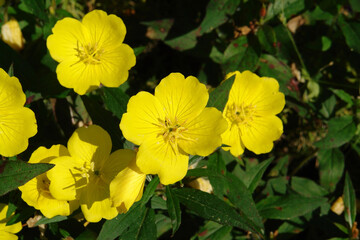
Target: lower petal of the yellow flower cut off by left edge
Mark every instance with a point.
(16, 127)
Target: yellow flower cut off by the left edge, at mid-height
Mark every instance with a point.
(17, 123)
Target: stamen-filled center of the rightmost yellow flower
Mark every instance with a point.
(240, 114)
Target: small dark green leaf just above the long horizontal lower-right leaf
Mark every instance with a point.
(307, 187)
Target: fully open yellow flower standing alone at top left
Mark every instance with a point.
(91, 52)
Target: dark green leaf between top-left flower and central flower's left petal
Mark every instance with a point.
(116, 100)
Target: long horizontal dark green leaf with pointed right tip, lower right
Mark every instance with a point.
(288, 206)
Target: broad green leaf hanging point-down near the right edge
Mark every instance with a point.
(331, 165)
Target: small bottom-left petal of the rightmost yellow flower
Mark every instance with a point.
(232, 138)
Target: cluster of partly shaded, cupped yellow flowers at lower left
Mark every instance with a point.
(85, 174)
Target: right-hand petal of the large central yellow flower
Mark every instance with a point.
(203, 134)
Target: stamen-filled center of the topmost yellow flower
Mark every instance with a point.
(89, 53)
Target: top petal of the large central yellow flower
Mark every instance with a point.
(182, 98)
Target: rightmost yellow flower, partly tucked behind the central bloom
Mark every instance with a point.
(250, 112)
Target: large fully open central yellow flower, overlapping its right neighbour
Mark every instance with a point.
(171, 125)
